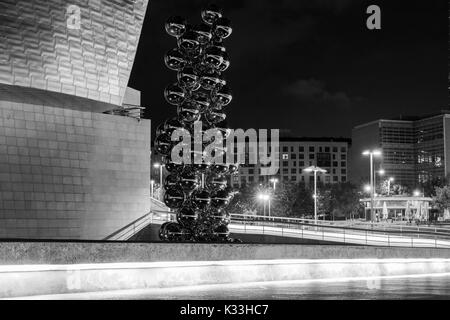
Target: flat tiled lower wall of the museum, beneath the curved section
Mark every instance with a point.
(68, 174)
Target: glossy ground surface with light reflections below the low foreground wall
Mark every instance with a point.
(391, 288)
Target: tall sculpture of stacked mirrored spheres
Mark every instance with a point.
(197, 190)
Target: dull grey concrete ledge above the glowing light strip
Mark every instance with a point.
(13, 253)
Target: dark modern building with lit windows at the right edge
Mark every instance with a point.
(415, 150)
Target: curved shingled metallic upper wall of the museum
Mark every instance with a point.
(40, 48)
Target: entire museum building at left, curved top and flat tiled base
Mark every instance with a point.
(71, 165)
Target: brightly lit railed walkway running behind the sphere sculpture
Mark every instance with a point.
(367, 234)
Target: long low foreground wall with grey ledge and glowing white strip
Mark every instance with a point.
(45, 268)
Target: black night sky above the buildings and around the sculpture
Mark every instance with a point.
(311, 66)
